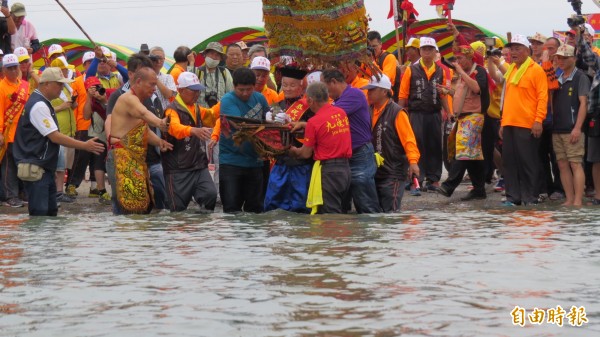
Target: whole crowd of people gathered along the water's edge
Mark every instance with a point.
(525, 115)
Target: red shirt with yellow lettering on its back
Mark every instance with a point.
(328, 133)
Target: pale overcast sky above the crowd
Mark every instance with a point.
(171, 23)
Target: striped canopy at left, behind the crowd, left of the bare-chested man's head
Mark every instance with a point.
(75, 48)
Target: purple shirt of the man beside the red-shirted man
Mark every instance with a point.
(354, 103)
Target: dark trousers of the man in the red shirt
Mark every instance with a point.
(335, 184)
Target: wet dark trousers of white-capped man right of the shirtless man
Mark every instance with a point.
(182, 186)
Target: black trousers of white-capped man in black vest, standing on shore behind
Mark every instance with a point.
(428, 132)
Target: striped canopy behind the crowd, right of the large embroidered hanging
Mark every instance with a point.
(438, 29)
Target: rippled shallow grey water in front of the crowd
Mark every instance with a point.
(429, 273)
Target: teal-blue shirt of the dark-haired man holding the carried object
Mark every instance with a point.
(255, 108)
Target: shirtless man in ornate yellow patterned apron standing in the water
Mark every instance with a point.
(129, 138)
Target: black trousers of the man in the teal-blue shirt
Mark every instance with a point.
(241, 188)
